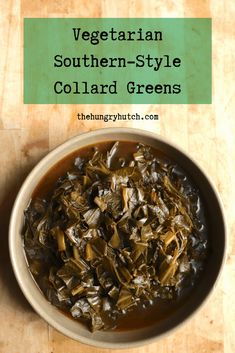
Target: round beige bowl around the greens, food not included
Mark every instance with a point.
(127, 338)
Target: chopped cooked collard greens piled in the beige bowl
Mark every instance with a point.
(115, 234)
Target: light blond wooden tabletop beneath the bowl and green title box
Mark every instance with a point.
(28, 132)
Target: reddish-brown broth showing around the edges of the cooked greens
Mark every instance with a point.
(138, 317)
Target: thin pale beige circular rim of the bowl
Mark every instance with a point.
(48, 157)
